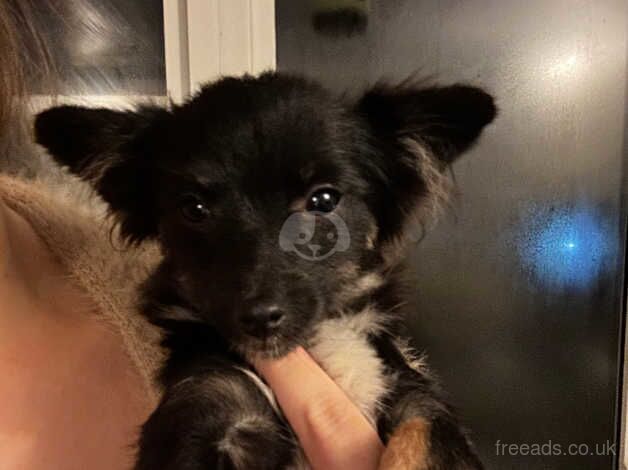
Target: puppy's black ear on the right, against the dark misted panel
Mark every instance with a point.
(417, 133)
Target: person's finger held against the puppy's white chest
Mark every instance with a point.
(331, 429)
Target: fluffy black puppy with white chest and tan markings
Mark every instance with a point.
(280, 210)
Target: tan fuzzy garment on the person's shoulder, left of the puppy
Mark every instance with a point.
(78, 234)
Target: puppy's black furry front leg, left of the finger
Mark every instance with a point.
(214, 422)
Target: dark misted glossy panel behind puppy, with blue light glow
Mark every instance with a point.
(518, 289)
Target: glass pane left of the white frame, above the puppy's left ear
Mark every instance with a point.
(112, 47)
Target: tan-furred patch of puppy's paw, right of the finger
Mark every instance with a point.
(408, 447)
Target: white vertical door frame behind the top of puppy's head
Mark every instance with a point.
(206, 39)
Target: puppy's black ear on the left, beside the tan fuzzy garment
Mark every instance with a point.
(111, 150)
